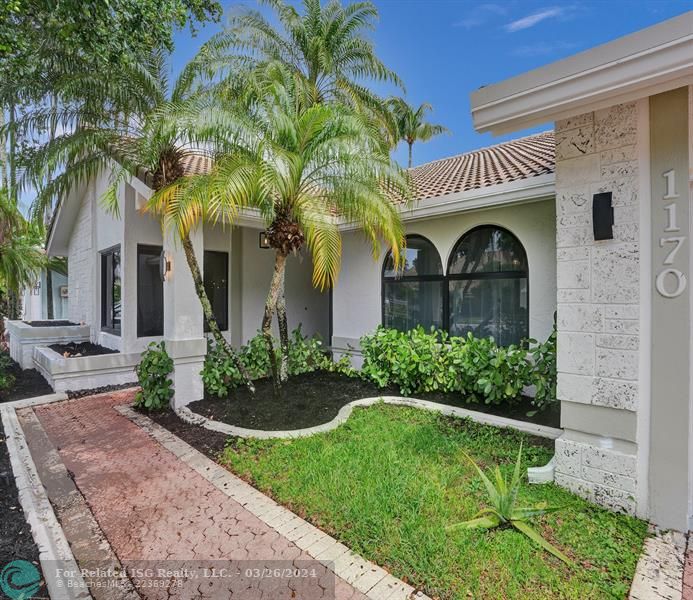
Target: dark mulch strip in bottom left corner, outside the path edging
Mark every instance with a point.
(16, 541)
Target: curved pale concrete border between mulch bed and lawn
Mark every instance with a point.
(194, 418)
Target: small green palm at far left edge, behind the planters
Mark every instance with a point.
(21, 257)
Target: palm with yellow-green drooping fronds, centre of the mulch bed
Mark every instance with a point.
(305, 166)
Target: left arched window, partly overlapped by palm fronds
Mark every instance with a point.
(413, 295)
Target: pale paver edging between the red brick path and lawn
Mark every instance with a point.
(363, 575)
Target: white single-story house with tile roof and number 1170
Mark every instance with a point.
(591, 220)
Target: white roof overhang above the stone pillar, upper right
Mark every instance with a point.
(641, 64)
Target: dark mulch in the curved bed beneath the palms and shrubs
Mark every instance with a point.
(315, 398)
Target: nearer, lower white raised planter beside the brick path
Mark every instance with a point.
(85, 372)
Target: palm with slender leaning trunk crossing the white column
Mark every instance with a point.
(130, 120)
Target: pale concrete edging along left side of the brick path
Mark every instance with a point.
(45, 528)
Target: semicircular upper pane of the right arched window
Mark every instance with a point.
(488, 250)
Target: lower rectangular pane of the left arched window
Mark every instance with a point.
(407, 304)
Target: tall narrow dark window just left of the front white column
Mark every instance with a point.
(150, 292)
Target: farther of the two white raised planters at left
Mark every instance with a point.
(24, 338)
